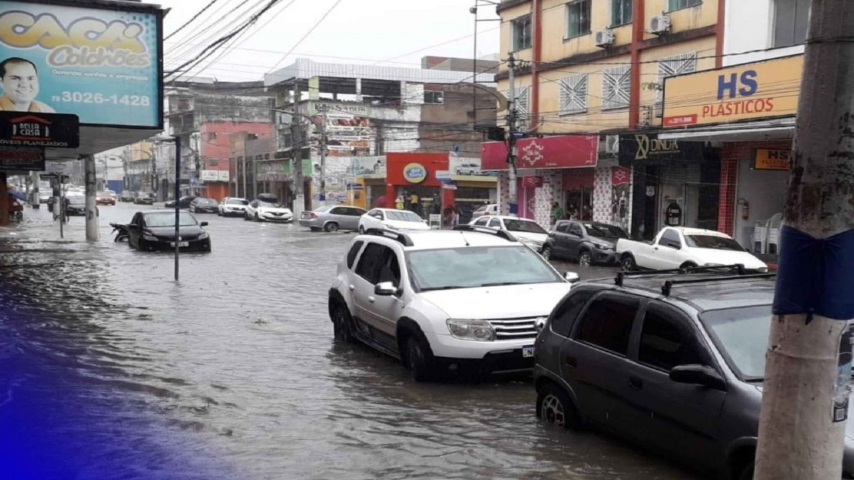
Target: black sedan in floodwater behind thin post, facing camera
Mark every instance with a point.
(155, 230)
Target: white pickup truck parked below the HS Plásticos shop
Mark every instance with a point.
(681, 247)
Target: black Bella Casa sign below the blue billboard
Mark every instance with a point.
(26, 129)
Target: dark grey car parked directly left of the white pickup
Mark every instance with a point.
(587, 242)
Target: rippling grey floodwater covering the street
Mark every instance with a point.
(233, 371)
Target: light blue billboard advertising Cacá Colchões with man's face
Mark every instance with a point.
(102, 65)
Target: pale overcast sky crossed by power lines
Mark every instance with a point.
(388, 32)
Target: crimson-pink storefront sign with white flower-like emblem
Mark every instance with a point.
(564, 151)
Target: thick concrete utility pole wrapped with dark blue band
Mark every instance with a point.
(808, 362)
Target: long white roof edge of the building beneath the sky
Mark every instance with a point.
(304, 69)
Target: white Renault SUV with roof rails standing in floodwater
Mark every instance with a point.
(445, 300)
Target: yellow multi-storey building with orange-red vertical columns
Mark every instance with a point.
(597, 67)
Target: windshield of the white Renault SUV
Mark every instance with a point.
(470, 267)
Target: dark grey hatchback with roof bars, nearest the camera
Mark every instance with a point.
(680, 373)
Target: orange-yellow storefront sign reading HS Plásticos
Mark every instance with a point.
(743, 92)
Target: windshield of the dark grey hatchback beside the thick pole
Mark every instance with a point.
(742, 336)
